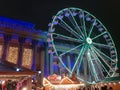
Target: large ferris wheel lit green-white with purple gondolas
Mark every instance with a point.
(76, 32)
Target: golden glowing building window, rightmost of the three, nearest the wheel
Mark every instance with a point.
(27, 58)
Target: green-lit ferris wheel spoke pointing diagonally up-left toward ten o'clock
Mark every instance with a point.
(69, 29)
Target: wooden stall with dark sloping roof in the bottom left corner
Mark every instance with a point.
(14, 78)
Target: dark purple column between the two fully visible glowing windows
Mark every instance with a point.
(21, 42)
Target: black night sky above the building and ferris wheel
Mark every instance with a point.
(40, 12)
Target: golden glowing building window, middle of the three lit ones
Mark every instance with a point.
(12, 55)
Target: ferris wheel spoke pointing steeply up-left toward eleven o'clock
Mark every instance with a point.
(75, 24)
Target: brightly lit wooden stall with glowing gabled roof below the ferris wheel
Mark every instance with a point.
(56, 82)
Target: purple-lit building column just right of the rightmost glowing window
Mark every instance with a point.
(35, 45)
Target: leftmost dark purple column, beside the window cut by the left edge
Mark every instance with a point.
(7, 38)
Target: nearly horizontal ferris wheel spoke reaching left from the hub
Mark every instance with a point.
(59, 36)
